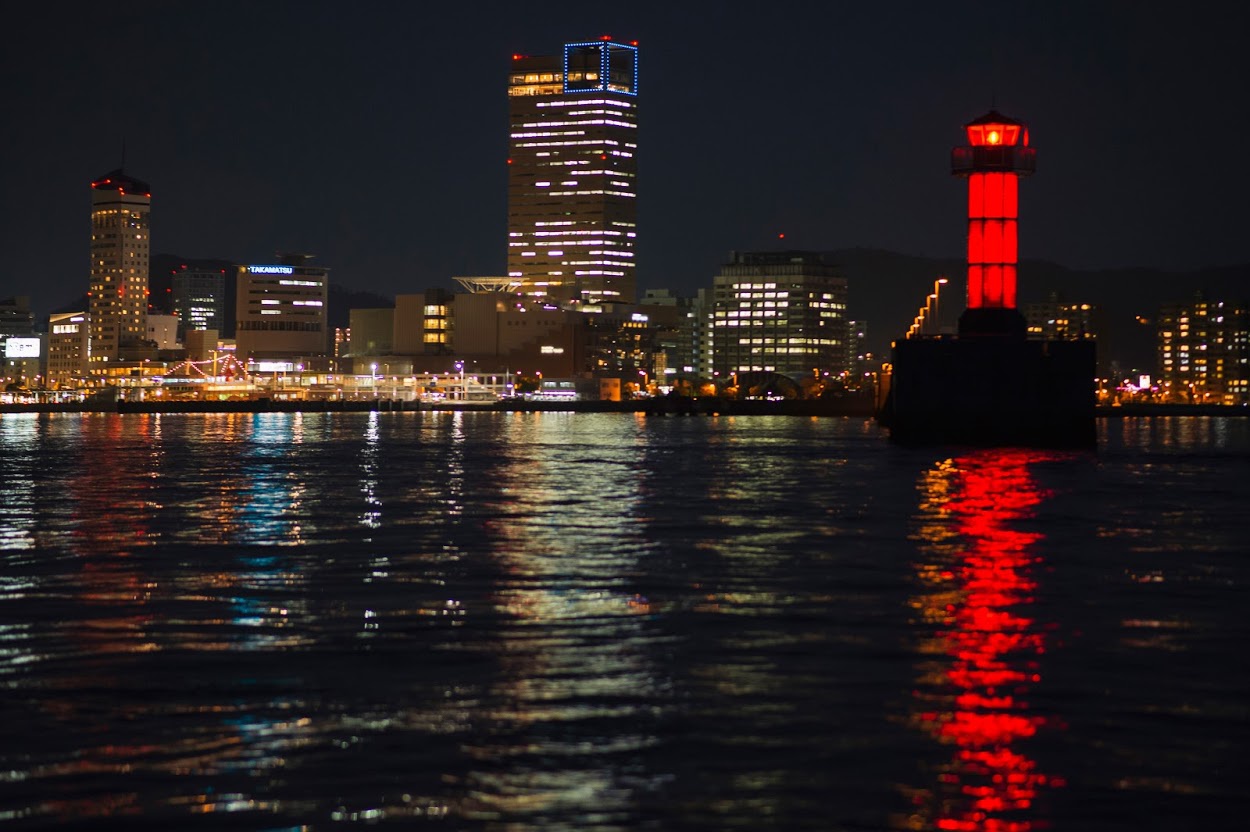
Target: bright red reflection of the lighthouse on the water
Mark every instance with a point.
(989, 646)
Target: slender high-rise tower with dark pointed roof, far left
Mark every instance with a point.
(121, 250)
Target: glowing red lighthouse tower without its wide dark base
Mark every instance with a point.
(996, 158)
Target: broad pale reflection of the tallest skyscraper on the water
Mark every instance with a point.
(578, 690)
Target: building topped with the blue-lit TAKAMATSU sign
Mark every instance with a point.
(281, 310)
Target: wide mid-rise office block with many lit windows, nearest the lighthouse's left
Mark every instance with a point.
(779, 312)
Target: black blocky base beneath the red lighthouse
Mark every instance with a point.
(992, 392)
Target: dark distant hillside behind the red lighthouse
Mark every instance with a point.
(887, 290)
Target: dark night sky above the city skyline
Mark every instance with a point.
(374, 134)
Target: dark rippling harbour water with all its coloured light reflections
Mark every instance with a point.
(557, 622)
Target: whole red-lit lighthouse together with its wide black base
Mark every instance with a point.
(991, 385)
